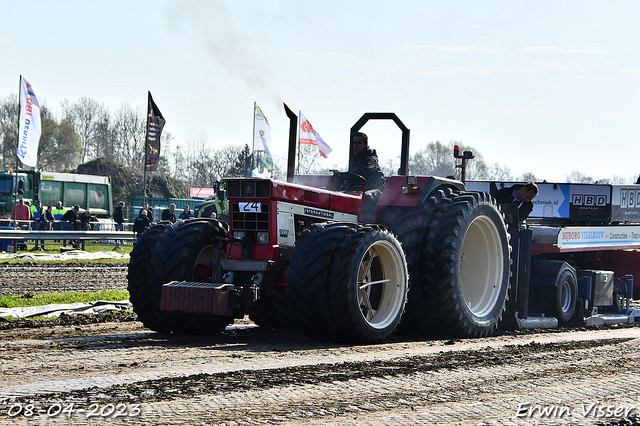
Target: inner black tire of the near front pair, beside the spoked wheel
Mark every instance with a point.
(308, 279)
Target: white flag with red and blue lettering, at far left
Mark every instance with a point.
(30, 127)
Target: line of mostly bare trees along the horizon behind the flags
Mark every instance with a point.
(86, 130)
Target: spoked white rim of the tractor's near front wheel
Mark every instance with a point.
(382, 281)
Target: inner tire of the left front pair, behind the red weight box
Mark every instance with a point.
(184, 252)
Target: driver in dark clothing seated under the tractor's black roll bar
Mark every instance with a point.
(365, 164)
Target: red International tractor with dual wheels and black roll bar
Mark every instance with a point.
(436, 259)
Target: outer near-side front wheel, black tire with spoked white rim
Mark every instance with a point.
(368, 285)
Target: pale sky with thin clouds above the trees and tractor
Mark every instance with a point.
(546, 86)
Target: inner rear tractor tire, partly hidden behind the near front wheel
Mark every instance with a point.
(410, 226)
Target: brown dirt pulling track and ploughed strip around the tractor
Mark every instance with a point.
(108, 369)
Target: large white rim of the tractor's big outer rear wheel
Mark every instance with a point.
(481, 266)
